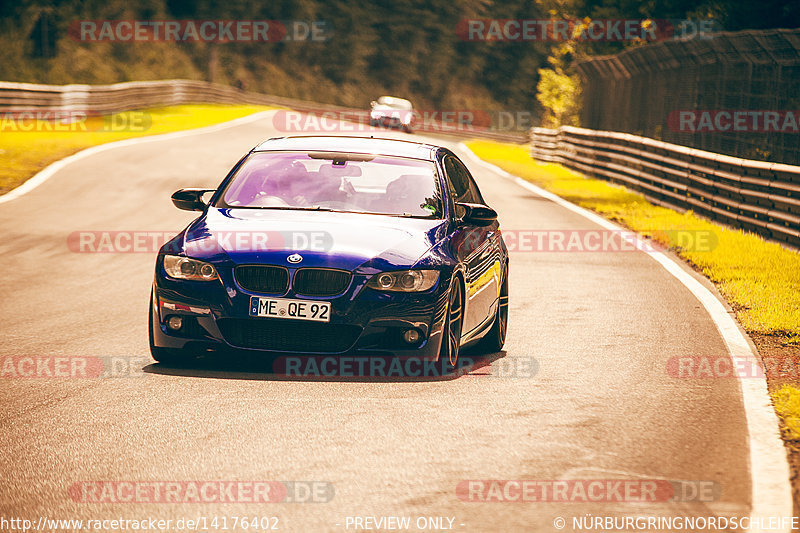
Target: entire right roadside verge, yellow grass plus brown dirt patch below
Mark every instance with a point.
(760, 279)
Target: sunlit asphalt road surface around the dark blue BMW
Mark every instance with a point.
(600, 327)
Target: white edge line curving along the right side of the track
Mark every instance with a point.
(769, 467)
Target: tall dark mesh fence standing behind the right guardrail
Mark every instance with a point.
(645, 90)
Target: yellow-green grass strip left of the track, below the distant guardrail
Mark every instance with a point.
(24, 153)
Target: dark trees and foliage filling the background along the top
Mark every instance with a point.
(405, 47)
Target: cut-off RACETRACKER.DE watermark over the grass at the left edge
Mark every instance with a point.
(73, 121)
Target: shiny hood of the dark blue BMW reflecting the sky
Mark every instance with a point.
(323, 239)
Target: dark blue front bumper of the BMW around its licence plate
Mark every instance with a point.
(216, 317)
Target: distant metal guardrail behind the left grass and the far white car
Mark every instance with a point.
(142, 94)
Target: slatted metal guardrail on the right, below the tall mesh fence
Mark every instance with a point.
(757, 196)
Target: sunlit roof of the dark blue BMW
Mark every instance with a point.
(350, 144)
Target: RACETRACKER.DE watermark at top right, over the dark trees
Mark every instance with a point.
(599, 30)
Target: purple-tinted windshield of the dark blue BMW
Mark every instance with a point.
(356, 183)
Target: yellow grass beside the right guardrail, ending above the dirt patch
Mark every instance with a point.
(760, 279)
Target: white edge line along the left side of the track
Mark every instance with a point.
(48, 172)
